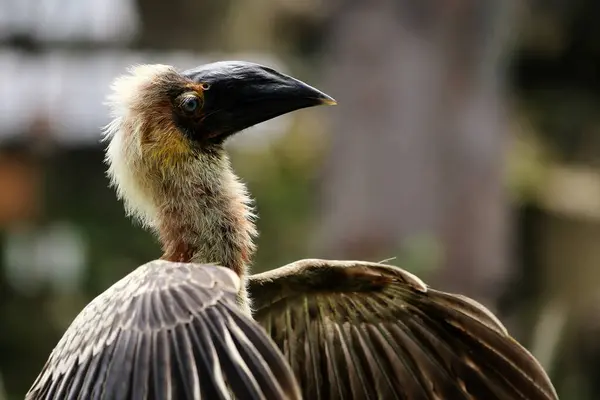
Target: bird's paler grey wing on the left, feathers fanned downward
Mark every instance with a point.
(166, 331)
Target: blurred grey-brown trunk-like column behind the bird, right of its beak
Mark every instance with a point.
(418, 139)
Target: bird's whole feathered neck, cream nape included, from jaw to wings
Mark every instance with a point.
(194, 202)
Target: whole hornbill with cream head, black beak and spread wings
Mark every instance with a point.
(195, 324)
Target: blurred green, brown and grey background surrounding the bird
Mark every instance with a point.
(465, 146)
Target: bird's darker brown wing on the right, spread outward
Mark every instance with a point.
(359, 330)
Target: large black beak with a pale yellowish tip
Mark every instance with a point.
(242, 94)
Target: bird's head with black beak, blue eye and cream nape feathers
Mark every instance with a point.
(166, 122)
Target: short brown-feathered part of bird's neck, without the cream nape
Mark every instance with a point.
(206, 215)
